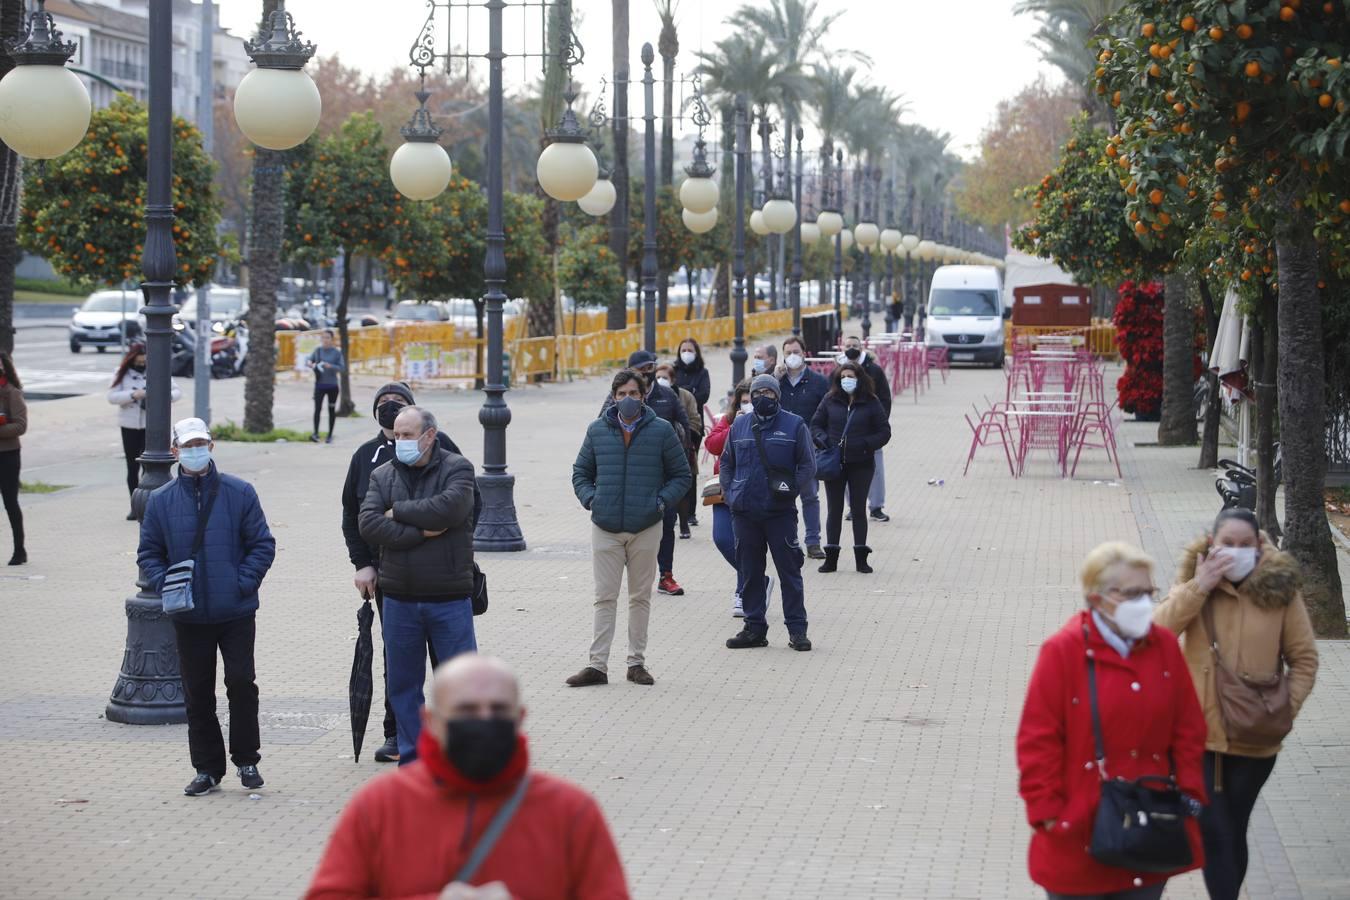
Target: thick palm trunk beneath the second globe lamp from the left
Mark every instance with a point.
(265, 240)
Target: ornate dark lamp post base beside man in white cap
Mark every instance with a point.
(149, 689)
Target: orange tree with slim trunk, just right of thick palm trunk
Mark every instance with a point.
(345, 206)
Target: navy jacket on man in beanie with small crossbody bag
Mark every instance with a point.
(788, 446)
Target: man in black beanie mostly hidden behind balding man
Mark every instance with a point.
(389, 401)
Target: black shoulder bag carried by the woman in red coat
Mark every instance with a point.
(1140, 825)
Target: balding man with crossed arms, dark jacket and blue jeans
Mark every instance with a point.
(419, 512)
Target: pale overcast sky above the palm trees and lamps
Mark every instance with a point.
(951, 60)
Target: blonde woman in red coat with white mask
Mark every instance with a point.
(1150, 713)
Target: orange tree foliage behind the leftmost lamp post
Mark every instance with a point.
(86, 211)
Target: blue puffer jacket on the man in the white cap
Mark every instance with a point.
(237, 551)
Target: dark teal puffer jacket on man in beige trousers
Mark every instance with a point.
(628, 489)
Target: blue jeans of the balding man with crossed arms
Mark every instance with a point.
(449, 625)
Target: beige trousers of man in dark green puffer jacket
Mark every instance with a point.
(611, 555)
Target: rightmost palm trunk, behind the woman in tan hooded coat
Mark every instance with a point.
(1303, 420)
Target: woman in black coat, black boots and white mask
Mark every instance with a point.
(850, 418)
